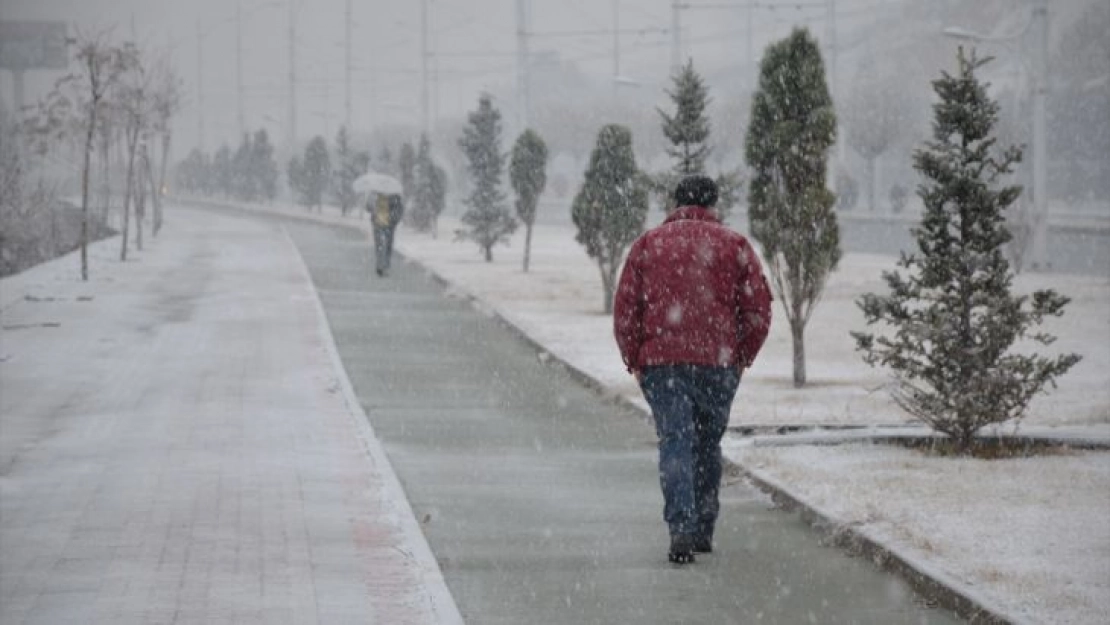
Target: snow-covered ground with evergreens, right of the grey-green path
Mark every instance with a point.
(1030, 538)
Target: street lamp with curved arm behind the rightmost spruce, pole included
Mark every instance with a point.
(1040, 17)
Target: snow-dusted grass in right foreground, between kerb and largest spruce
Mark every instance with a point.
(1032, 536)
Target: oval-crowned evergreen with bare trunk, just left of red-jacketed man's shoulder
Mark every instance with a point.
(611, 208)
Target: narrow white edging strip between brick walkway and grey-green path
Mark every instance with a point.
(442, 602)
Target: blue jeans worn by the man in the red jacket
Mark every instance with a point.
(691, 406)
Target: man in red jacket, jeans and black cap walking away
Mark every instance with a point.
(691, 314)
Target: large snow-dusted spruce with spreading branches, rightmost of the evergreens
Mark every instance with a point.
(953, 317)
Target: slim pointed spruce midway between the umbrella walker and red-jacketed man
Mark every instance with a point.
(489, 219)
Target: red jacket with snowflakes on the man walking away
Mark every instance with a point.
(692, 293)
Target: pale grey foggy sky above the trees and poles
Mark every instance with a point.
(473, 47)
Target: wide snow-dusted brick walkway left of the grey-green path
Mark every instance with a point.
(179, 445)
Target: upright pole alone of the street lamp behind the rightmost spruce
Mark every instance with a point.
(1041, 155)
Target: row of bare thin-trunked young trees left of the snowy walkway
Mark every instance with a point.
(119, 96)
